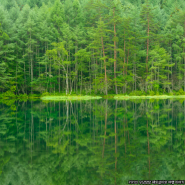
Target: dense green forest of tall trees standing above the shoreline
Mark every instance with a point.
(134, 47)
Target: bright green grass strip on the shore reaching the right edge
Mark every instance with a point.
(148, 97)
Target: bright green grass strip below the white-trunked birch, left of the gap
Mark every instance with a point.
(70, 97)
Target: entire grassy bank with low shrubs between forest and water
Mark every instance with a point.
(11, 94)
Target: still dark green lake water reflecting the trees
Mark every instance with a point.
(95, 142)
